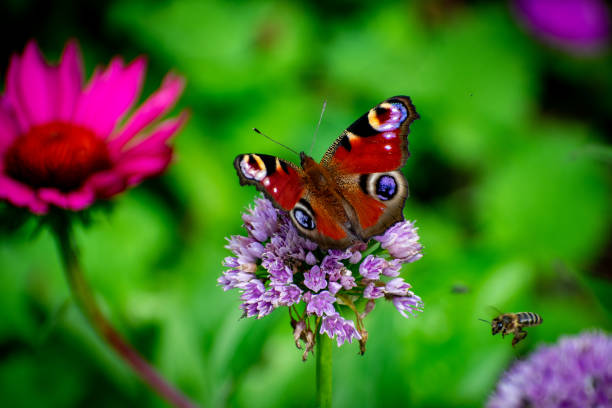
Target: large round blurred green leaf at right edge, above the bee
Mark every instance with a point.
(537, 202)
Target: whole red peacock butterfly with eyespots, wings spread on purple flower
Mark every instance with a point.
(356, 192)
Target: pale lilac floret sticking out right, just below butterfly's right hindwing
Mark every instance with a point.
(402, 242)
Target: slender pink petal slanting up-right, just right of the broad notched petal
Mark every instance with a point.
(156, 105)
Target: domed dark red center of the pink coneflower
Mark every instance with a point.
(57, 154)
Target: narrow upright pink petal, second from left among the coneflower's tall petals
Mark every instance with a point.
(70, 80)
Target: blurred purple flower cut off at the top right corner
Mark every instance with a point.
(577, 26)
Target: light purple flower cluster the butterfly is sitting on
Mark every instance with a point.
(274, 266)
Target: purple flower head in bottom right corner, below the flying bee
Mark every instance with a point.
(576, 372)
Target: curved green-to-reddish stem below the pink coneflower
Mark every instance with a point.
(84, 298)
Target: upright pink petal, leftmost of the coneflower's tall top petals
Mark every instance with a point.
(36, 87)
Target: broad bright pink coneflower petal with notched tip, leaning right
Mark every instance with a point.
(109, 96)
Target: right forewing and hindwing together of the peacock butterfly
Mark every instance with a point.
(365, 161)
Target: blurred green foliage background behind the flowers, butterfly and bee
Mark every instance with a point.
(510, 186)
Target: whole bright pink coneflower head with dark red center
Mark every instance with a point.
(67, 145)
